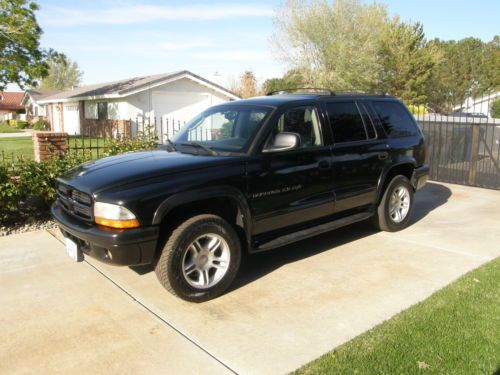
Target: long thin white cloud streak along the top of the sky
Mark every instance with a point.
(136, 14)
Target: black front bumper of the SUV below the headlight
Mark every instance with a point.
(123, 247)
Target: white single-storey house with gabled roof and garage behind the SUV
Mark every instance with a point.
(121, 106)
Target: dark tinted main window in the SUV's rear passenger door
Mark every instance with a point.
(346, 122)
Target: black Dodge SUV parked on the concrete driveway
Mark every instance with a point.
(245, 176)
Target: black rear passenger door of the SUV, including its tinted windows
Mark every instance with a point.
(359, 154)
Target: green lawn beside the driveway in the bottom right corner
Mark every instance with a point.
(455, 331)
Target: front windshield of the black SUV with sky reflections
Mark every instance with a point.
(225, 129)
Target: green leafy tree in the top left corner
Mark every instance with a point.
(21, 58)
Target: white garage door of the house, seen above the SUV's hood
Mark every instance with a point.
(173, 107)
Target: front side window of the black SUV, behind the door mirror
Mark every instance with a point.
(303, 121)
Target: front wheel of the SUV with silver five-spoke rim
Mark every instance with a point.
(189, 268)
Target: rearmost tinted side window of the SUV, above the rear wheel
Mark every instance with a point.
(395, 119)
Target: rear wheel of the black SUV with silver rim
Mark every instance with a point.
(398, 218)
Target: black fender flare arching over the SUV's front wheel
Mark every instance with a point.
(190, 196)
